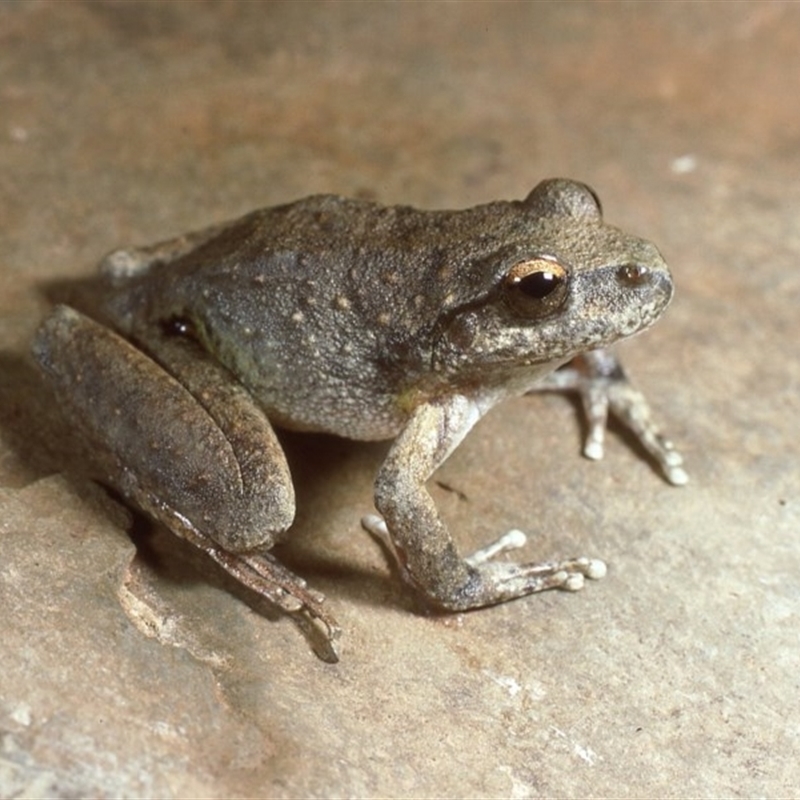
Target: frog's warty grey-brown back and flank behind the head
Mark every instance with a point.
(326, 308)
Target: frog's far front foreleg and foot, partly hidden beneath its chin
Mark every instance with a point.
(603, 386)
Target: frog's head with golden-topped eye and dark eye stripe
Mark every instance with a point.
(565, 283)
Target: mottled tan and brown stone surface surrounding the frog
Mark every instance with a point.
(677, 675)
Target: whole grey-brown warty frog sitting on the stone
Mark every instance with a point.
(369, 322)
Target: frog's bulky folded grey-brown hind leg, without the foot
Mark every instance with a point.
(202, 457)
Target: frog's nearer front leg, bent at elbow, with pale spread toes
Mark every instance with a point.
(421, 540)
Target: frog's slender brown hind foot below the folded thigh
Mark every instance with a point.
(265, 575)
